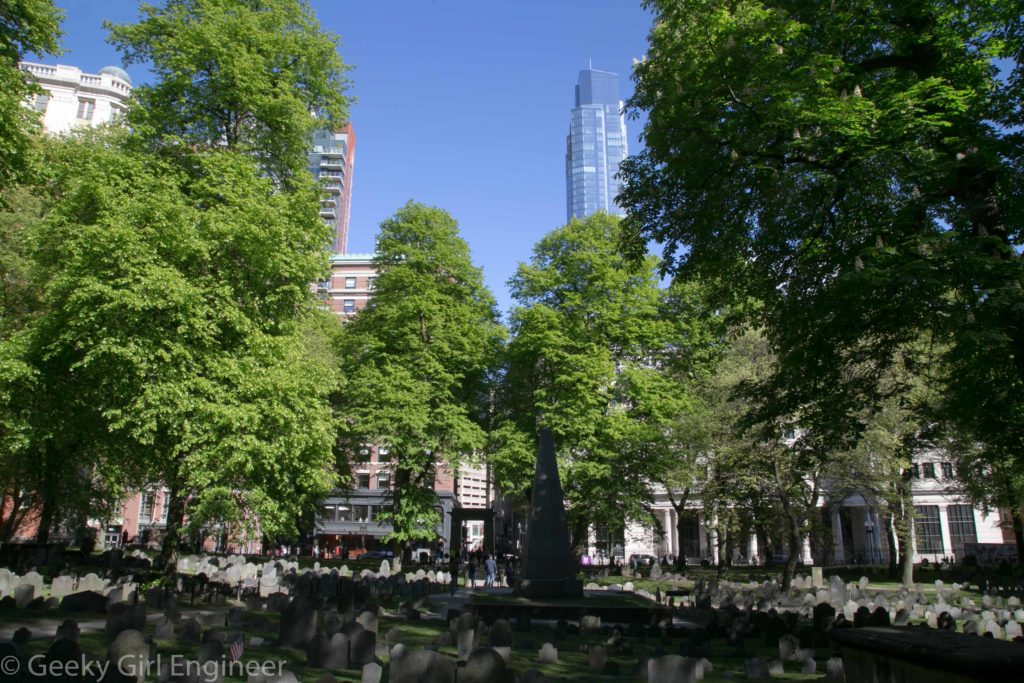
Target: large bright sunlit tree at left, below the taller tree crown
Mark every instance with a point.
(177, 309)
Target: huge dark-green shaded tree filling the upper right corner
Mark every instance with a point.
(854, 166)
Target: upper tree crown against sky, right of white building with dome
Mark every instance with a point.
(254, 76)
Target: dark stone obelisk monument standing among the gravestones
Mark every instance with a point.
(548, 569)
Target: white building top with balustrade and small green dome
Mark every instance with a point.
(74, 99)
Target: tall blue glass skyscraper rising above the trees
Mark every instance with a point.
(595, 147)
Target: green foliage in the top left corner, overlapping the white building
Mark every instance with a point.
(26, 26)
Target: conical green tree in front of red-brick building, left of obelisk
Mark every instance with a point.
(416, 363)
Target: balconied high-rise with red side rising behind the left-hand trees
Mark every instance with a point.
(332, 161)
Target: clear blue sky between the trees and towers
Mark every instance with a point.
(462, 105)
